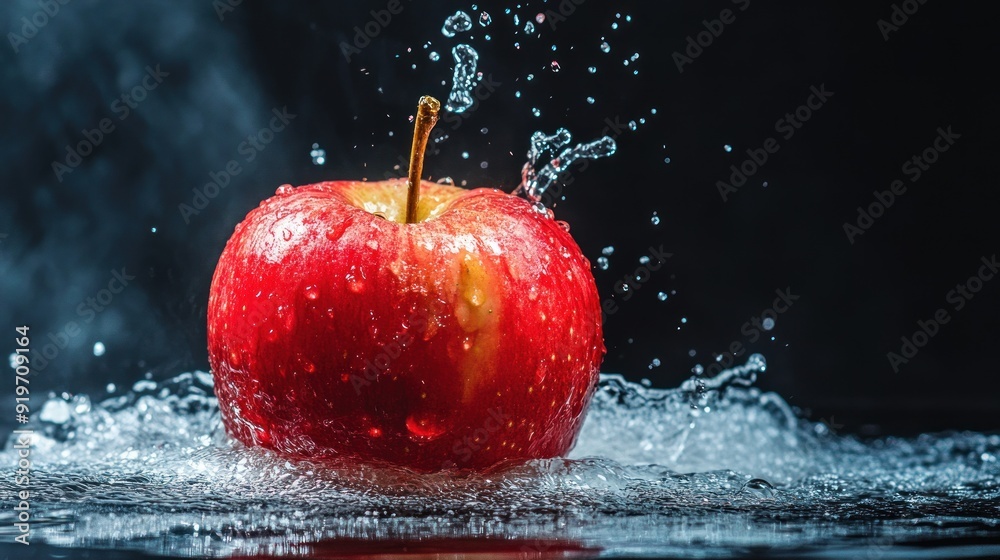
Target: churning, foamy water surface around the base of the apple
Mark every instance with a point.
(713, 468)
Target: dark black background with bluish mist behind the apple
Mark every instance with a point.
(62, 239)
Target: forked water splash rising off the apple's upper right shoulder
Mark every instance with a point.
(535, 183)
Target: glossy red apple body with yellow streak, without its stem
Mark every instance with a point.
(466, 339)
